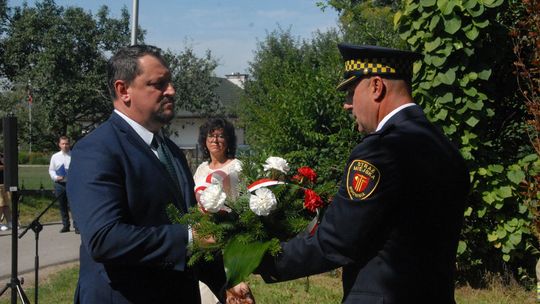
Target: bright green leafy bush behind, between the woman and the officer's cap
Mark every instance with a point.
(291, 107)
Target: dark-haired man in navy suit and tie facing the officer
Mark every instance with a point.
(122, 177)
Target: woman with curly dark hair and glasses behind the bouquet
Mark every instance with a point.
(217, 141)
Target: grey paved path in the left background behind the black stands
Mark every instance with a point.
(54, 248)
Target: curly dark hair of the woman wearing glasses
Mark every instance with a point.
(228, 131)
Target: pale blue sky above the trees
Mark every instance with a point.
(230, 29)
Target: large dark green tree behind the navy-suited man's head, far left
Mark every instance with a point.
(58, 55)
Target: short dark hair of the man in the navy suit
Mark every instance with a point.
(124, 65)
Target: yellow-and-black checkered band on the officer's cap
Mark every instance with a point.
(379, 66)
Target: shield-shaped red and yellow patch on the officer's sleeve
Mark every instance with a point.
(362, 179)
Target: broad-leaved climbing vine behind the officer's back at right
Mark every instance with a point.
(465, 85)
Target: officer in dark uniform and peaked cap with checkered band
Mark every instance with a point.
(394, 224)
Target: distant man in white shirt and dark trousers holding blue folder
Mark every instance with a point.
(58, 170)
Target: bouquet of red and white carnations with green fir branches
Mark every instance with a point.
(271, 206)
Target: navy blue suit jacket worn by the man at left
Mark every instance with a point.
(130, 253)
